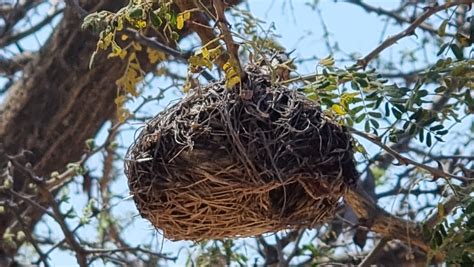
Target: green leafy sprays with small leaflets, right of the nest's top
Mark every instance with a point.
(365, 98)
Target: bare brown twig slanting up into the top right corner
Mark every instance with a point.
(409, 30)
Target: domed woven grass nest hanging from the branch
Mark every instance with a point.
(216, 165)
